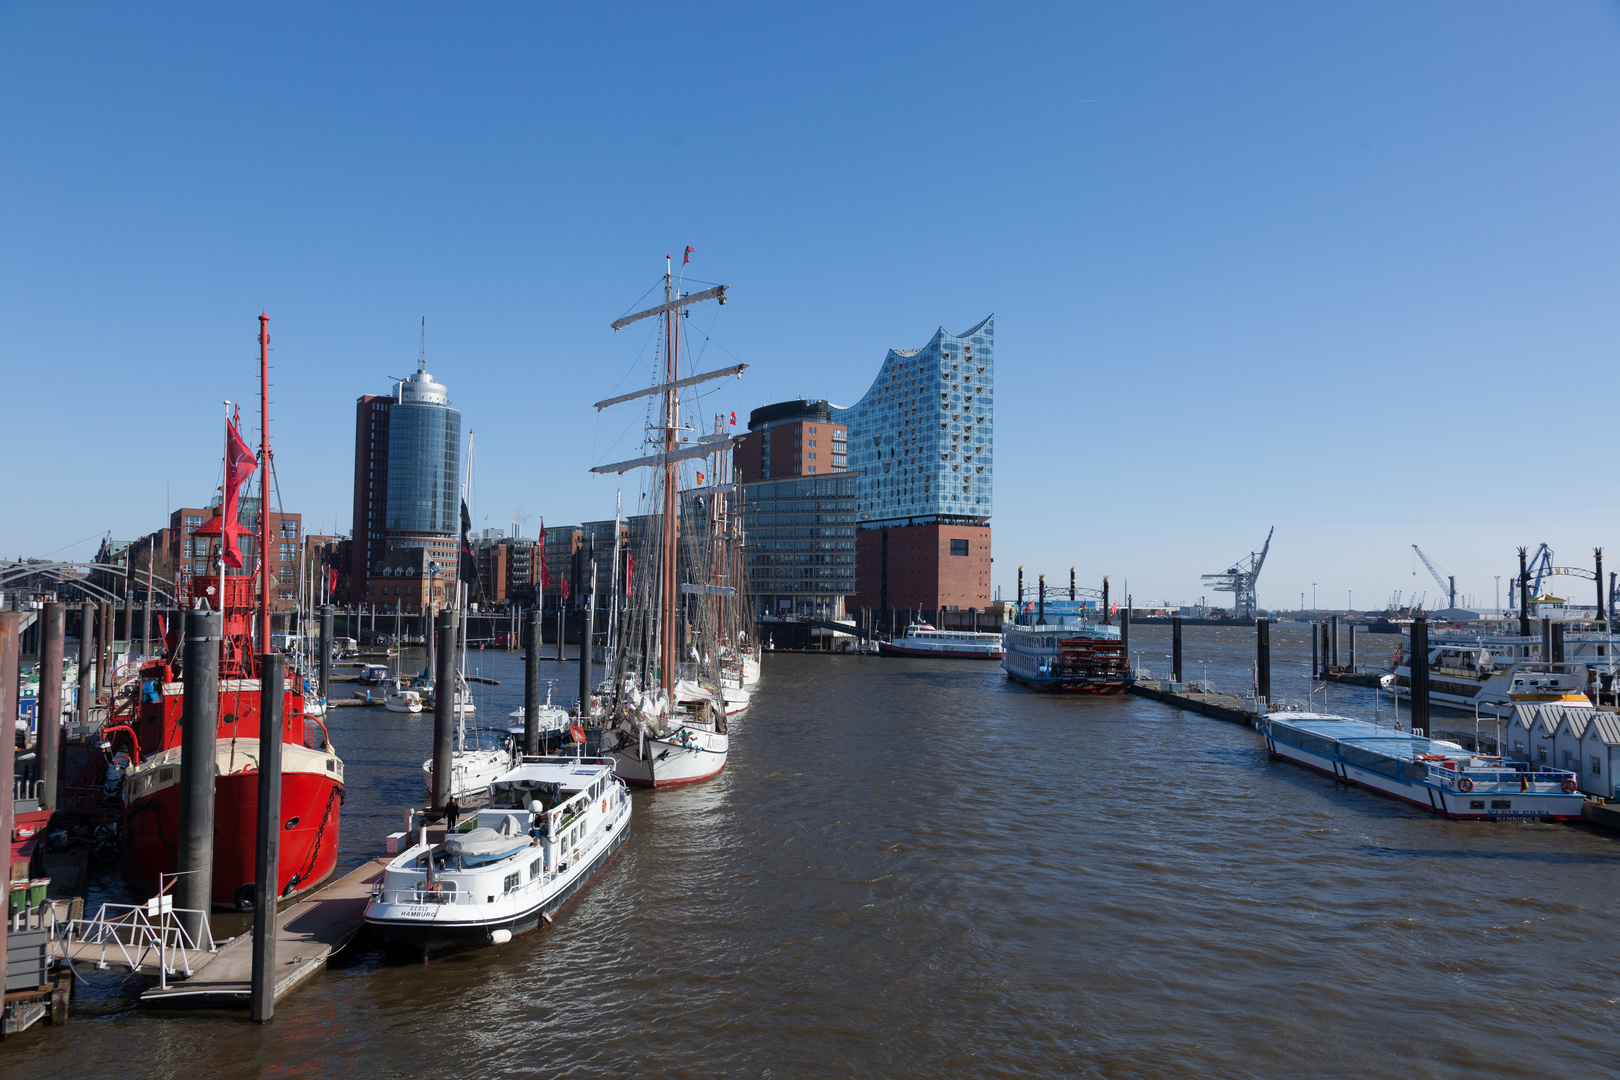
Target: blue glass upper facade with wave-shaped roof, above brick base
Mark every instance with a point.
(924, 435)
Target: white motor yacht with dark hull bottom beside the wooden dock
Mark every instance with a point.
(552, 828)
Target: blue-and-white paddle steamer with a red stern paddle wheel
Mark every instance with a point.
(1057, 647)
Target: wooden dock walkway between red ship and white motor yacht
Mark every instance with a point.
(307, 933)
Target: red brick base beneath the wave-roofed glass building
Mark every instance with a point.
(923, 568)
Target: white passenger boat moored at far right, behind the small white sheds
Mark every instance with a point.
(1496, 673)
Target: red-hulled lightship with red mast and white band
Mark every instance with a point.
(312, 773)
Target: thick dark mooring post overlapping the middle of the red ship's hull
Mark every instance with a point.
(198, 765)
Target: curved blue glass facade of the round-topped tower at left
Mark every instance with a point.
(425, 469)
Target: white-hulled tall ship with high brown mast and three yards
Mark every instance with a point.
(663, 718)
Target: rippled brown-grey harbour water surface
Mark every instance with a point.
(914, 869)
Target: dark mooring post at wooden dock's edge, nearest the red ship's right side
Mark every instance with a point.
(266, 854)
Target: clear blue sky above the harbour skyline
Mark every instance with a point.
(1345, 270)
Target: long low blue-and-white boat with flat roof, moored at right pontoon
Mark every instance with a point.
(1431, 773)
